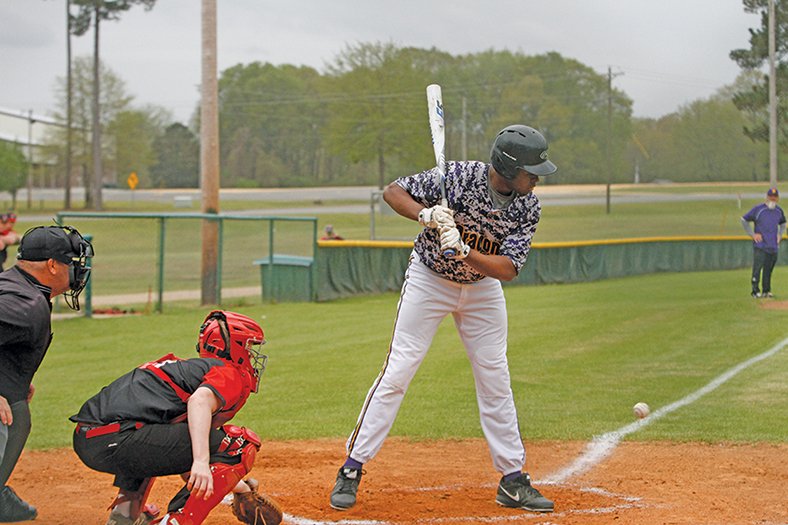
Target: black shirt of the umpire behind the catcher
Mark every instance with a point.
(25, 324)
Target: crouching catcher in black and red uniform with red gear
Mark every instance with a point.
(169, 417)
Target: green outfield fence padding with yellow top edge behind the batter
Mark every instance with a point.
(363, 268)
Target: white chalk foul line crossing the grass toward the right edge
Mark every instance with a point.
(602, 446)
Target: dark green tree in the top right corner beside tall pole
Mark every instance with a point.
(753, 99)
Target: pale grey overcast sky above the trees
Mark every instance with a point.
(665, 52)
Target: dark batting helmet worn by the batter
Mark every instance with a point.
(520, 147)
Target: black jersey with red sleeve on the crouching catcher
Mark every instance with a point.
(156, 392)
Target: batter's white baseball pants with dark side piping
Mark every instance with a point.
(479, 311)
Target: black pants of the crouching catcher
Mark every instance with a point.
(135, 454)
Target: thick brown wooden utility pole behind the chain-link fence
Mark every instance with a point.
(209, 155)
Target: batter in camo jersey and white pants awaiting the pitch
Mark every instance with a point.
(489, 224)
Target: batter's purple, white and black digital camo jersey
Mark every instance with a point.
(506, 232)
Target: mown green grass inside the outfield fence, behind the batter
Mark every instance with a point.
(580, 356)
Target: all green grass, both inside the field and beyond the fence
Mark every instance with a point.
(580, 355)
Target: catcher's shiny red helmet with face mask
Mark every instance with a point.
(235, 338)
